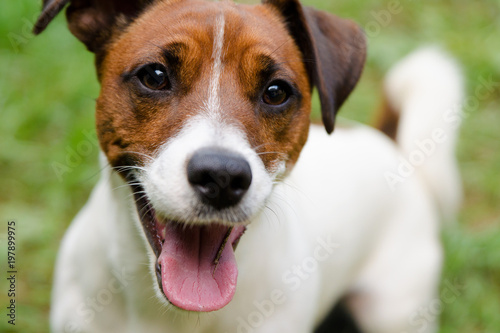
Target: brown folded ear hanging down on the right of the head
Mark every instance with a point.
(334, 52)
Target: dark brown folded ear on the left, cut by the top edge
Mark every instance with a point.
(91, 21)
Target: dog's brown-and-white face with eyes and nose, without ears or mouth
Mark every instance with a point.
(197, 82)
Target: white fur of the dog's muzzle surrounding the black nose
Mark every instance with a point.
(165, 179)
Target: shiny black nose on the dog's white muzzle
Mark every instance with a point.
(220, 177)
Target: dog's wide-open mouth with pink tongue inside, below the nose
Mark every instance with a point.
(196, 266)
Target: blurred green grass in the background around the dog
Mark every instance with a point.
(47, 92)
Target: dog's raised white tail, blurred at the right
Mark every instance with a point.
(427, 88)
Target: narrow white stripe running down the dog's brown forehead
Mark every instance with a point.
(213, 103)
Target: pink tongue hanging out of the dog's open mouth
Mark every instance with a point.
(187, 266)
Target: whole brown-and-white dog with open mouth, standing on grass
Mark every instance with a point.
(220, 207)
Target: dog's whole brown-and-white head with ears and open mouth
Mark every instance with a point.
(203, 106)
